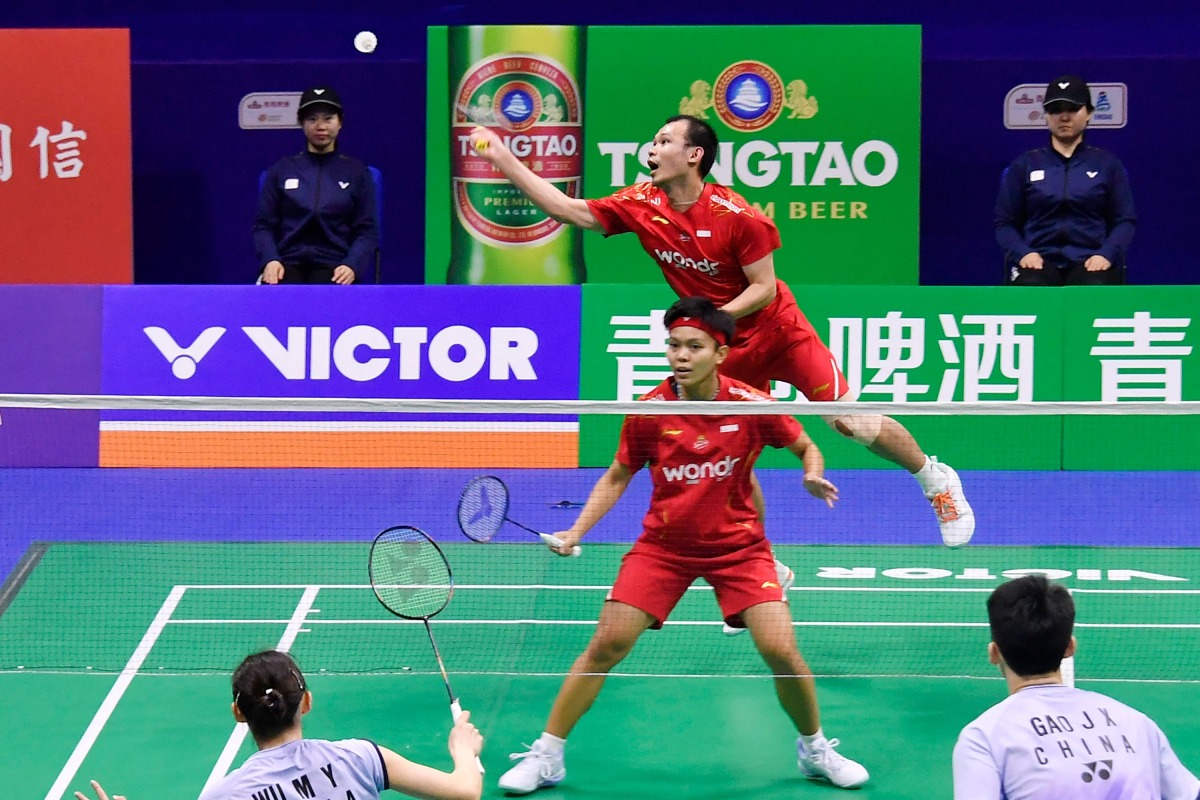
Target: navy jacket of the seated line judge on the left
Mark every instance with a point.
(319, 209)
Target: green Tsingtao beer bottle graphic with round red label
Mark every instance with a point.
(524, 82)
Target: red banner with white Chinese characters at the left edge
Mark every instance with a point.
(65, 158)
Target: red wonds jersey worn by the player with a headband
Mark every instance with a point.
(700, 467)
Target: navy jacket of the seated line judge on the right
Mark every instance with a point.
(1065, 209)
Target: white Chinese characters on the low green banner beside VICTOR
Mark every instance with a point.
(979, 358)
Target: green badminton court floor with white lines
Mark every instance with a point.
(115, 663)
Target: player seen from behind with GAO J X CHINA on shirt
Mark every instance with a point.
(1051, 742)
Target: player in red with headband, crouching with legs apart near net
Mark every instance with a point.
(703, 524)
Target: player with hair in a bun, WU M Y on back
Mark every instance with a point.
(271, 696)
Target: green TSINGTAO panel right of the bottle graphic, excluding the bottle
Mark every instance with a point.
(820, 128)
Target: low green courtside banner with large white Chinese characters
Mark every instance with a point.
(934, 344)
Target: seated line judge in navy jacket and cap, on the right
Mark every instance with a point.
(1065, 214)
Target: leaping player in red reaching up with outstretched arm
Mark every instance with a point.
(711, 243)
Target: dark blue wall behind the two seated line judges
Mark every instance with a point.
(196, 172)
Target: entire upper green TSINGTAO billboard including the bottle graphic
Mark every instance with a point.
(820, 128)
